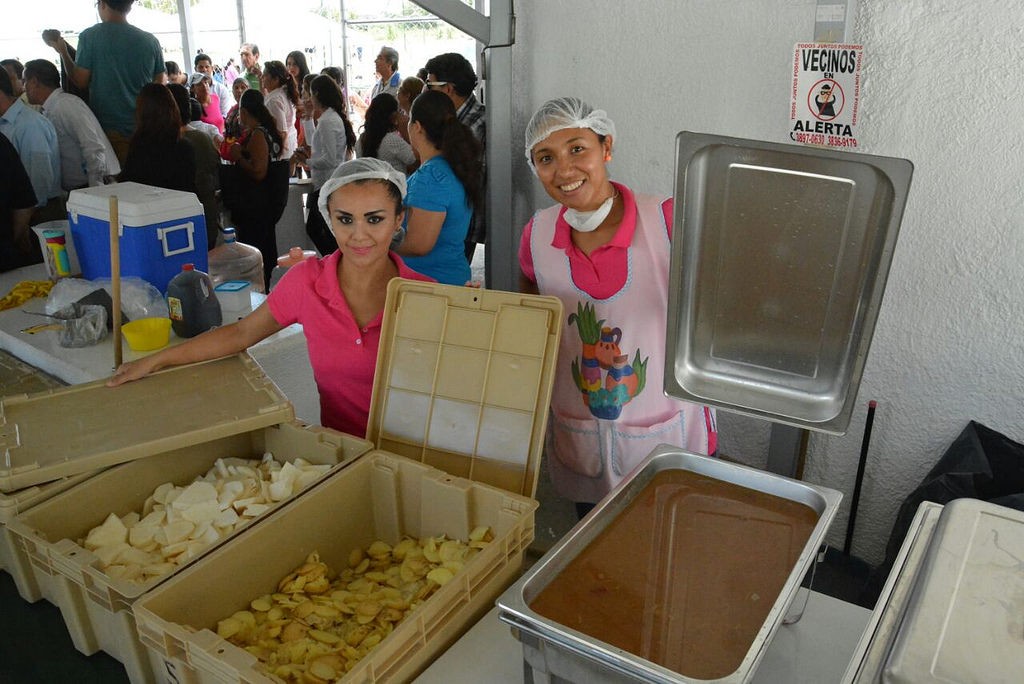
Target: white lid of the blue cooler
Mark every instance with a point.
(138, 204)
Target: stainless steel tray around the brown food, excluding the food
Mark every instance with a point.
(578, 658)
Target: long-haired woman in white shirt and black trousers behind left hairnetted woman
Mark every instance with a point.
(332, 144)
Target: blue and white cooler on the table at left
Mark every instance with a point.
(160, 230)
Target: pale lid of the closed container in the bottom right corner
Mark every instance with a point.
(963, 623)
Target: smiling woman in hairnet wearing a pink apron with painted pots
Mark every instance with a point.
(604, 250)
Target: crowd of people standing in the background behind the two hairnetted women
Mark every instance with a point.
(112, 109)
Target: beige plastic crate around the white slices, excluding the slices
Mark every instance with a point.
(97, 609)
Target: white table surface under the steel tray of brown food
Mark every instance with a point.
(816, 651)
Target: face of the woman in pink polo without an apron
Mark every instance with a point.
(365, 218)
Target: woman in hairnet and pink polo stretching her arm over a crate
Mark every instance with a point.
(339, 300)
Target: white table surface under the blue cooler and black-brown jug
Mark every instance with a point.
(283, 356)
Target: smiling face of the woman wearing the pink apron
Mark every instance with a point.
(571, 164)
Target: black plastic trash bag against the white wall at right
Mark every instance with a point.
(979, 464)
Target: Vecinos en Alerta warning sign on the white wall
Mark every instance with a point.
(826, 95)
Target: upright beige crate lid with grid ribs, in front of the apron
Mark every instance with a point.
(464, 380)
